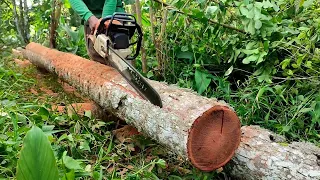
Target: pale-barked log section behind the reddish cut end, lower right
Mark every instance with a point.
(265, 155)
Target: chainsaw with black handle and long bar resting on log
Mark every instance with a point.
(113, 44)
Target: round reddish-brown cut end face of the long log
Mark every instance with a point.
(214, 138)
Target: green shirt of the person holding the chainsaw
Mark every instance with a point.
(99, 8)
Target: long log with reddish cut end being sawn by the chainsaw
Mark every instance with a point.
(202, 130)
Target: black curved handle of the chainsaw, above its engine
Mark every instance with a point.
(124, 18)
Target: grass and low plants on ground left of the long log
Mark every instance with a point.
(90, 142)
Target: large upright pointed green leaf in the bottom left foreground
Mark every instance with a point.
(37, 160)
